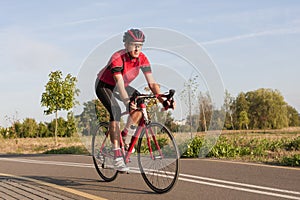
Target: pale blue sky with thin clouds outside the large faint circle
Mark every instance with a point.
(254, 44)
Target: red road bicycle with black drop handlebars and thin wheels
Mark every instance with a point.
(156, 150)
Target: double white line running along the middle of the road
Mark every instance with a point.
(287, 194)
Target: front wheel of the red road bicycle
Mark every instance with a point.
(159, 172)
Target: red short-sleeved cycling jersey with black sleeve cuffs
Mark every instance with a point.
(122, 63)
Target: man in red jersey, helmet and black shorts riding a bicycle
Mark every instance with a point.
(114, 79)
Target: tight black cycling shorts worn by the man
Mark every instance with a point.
(108, 96)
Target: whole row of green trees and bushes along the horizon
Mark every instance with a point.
(258, 109)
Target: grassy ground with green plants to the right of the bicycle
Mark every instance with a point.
(279, 149)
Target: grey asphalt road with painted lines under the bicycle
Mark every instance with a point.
(74, 177)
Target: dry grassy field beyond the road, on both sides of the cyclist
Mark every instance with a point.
(267, 146)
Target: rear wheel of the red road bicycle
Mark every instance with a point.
(103, 161)
